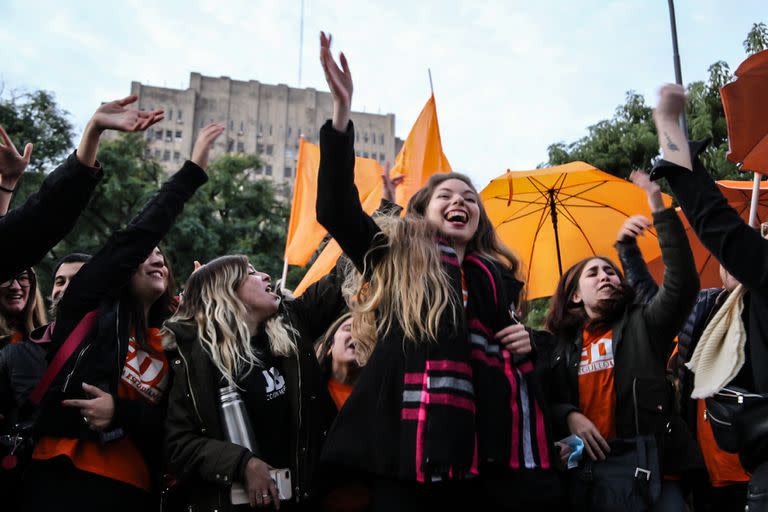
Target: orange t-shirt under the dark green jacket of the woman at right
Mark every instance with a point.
(597, 396)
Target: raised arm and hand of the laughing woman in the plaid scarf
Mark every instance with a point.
(338, 201)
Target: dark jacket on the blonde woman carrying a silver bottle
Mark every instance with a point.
(197, 451)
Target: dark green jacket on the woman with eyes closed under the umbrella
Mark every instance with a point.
(642, 343)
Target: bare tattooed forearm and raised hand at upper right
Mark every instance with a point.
(666, 115)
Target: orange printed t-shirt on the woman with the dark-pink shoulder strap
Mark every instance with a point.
(145, 377)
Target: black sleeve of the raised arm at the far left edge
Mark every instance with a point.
(47, 216)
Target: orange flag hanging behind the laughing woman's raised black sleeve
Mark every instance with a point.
(304, 232)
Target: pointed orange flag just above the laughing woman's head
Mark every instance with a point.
(421, 156)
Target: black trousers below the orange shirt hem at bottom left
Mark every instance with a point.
(56, 485)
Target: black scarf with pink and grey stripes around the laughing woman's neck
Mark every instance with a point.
(467, 401)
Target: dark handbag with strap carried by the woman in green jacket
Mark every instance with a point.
(628, 480)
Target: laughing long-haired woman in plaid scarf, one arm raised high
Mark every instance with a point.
(448, 411)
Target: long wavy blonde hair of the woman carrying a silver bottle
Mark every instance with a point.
(210, 303)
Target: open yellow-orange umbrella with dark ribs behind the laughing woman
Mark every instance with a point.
(555, 217)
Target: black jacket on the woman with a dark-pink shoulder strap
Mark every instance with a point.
(101, 356)
